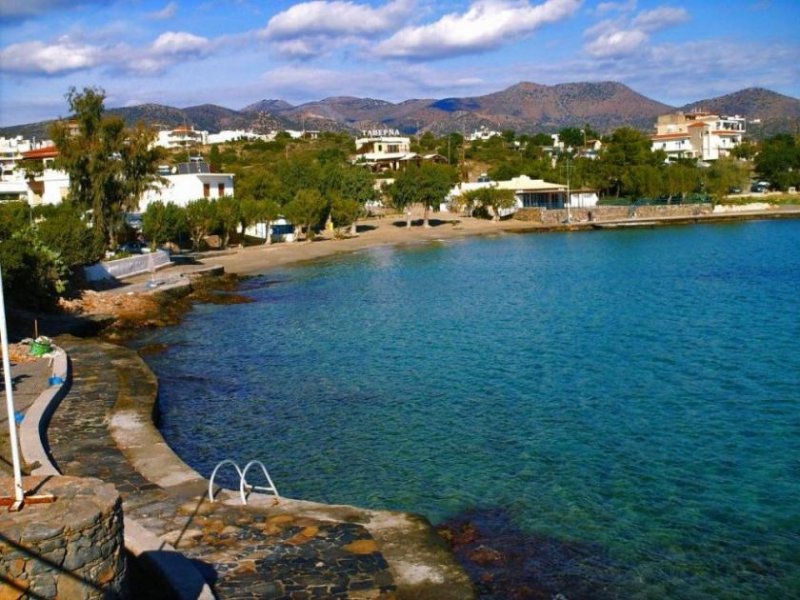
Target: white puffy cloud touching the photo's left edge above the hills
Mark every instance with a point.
(61, 56)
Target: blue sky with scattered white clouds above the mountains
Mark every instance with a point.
(183, 53)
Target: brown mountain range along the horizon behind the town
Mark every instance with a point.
(524, 107)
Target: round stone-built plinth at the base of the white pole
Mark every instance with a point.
(70, 549)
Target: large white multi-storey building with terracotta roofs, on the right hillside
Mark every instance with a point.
(700, 135)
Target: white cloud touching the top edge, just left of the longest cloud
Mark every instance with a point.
(334, 18)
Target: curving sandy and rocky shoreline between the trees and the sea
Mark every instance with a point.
(118, 313)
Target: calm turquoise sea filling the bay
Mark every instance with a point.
(636, 392)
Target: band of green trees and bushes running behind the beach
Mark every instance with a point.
(313, 183)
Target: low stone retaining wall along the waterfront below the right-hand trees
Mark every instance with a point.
(612, 213)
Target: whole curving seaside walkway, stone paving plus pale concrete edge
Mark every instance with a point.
(103, 428)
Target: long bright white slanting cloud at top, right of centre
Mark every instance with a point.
(487, 24)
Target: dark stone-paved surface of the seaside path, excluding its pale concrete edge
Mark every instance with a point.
(244, 552)
